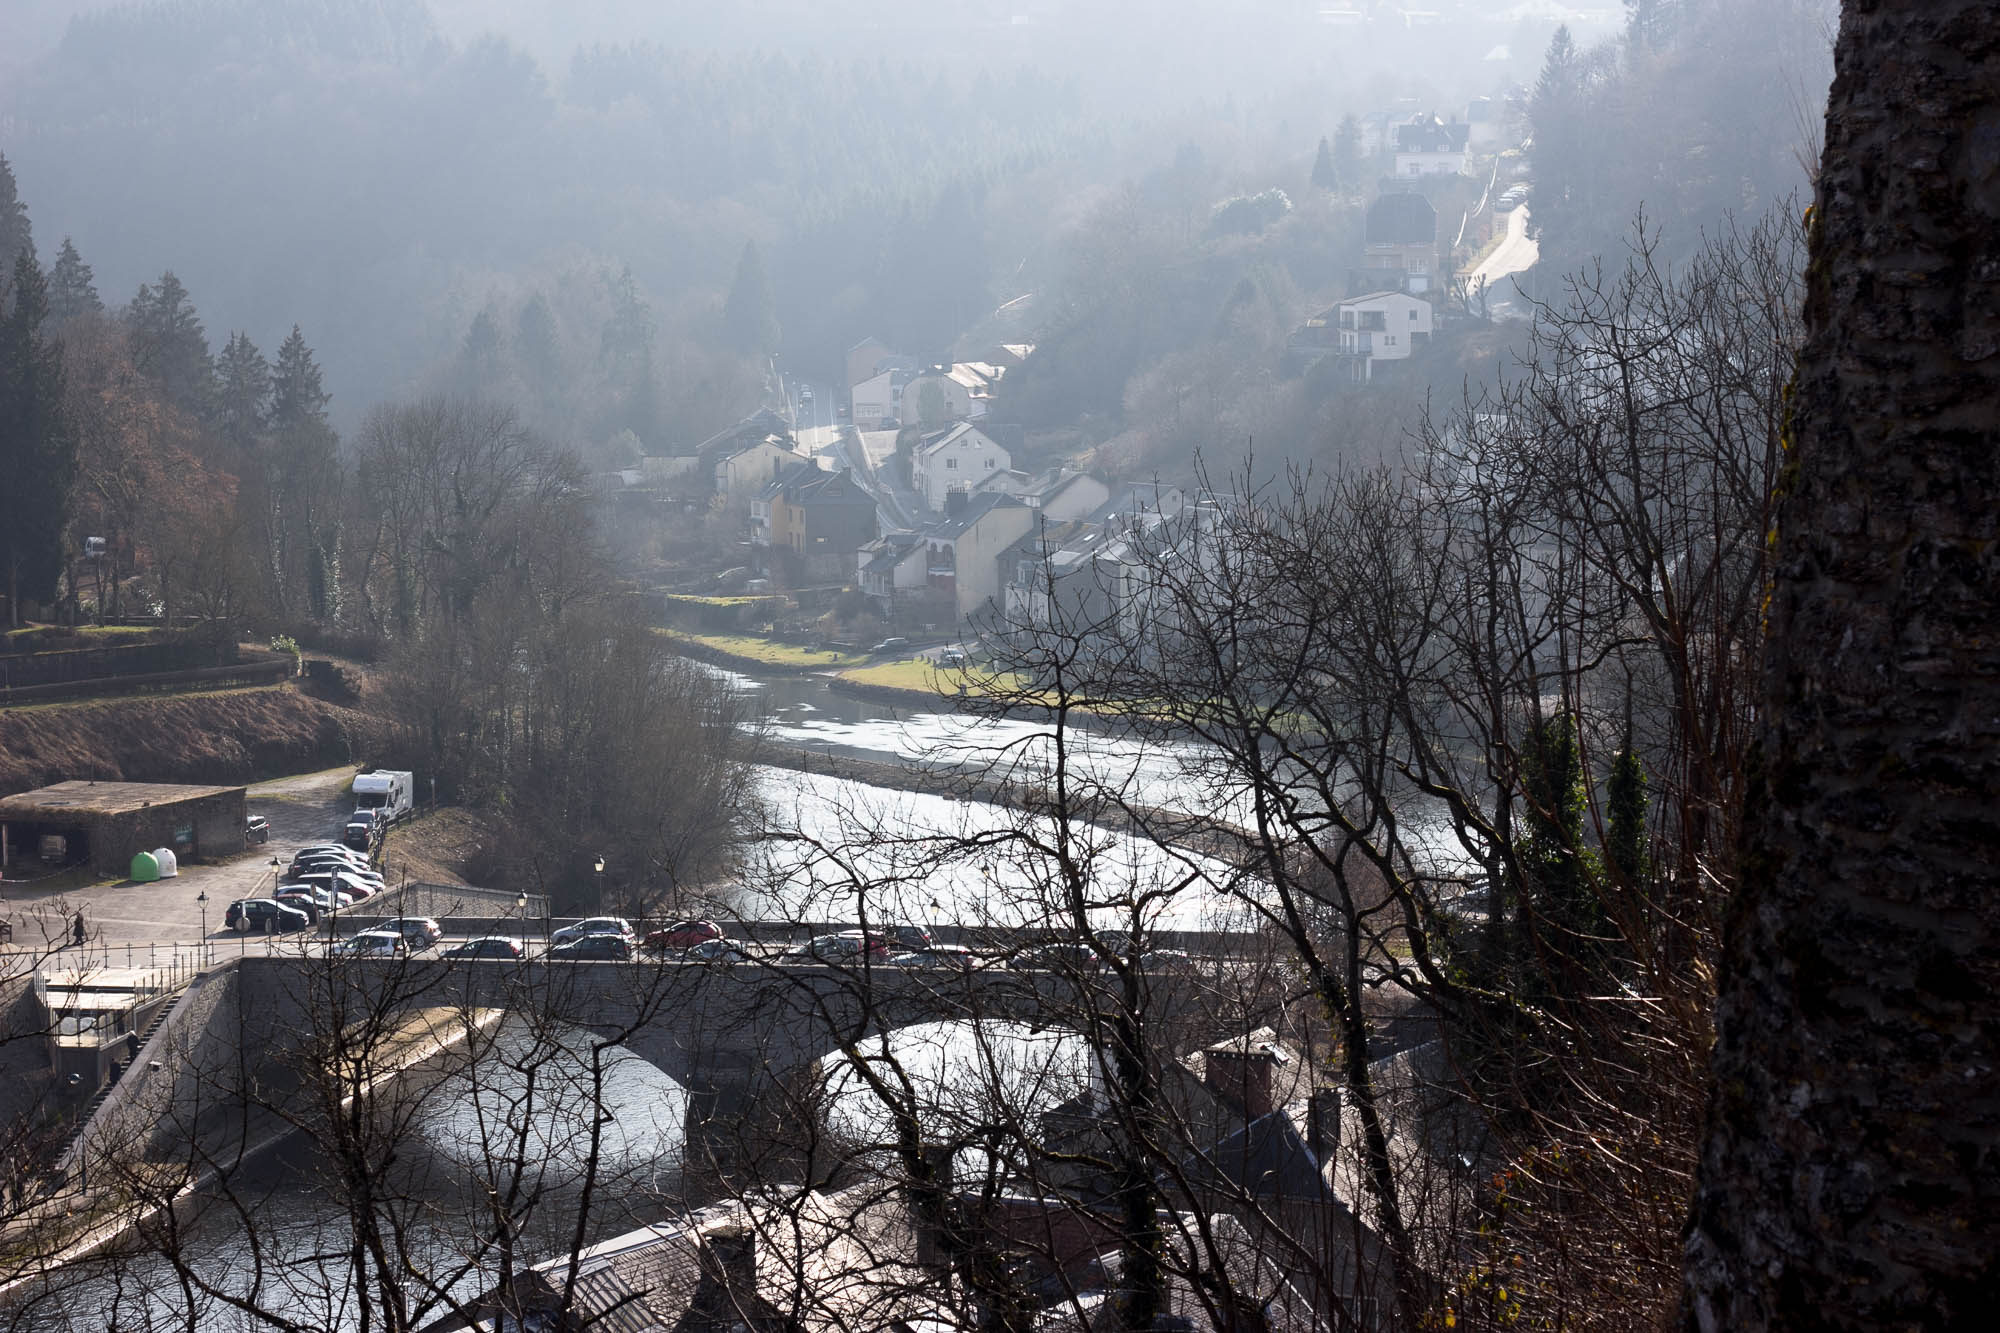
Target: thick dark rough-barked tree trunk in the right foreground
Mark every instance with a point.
(1853, 1176)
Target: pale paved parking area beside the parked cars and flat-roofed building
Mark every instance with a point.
(125, 918)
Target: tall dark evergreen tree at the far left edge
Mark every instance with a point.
(37, 443)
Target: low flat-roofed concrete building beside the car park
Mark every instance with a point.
(107, 824)
